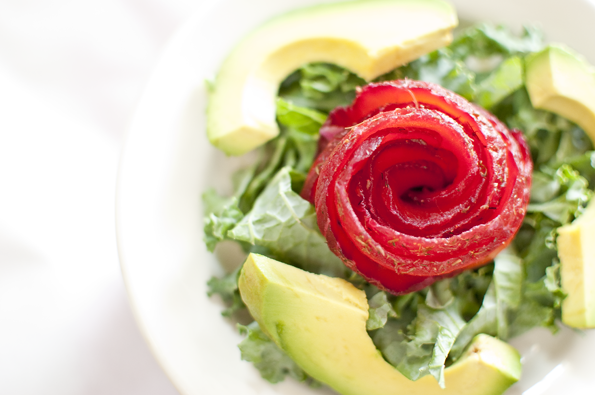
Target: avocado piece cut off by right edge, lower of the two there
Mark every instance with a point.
(576, 249)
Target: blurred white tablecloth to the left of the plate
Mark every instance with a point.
(71, 72)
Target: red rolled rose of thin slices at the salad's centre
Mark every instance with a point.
(417, 184)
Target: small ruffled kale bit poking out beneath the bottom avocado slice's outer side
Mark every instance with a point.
(272, 363)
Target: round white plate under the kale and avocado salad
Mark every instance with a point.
(168, 163)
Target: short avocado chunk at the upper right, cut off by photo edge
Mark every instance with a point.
(563, 82)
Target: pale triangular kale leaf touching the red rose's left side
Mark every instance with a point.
(285, 224)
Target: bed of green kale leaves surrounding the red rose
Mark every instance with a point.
(422, 332)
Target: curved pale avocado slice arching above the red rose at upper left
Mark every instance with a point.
(368, 37)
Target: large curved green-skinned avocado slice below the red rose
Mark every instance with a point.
(320, 322)
